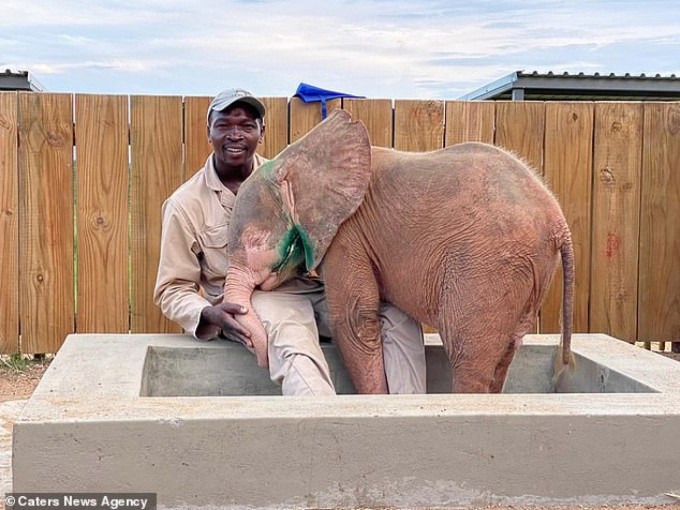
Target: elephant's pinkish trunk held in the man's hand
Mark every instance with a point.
(239, 289)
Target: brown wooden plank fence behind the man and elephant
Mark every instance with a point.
(80, 241)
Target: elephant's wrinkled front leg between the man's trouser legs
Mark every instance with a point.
(353, 302)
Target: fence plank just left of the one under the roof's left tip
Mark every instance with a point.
(418, 125)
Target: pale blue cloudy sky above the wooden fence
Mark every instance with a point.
(398, 49)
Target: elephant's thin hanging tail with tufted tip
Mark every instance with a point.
(564, 358)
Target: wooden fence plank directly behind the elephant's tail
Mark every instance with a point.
(568, 172)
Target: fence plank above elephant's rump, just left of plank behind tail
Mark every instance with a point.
(520, 128)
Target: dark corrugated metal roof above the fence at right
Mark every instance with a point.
(520, 86)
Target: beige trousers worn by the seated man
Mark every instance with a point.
(295, 314)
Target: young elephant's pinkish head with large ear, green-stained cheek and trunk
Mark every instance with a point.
(287, 212)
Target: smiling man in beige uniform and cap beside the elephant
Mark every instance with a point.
(193, 265)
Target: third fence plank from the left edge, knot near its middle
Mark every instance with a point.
(102, 189)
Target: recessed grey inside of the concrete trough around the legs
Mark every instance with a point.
(204, 371)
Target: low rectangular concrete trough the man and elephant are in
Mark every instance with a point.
(165, 414)
